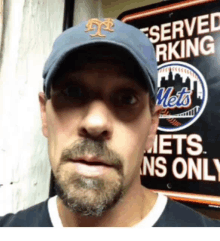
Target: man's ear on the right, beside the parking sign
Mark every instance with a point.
(153, 129)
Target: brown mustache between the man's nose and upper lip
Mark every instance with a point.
(96, 148)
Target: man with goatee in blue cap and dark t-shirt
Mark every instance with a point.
(99, 116)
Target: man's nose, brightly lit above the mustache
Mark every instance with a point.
(96, 122)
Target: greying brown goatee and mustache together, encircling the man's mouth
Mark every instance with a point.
(90, 196)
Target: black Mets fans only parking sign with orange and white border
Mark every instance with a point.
(184, 162)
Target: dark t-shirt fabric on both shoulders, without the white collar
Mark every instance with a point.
(174, 215)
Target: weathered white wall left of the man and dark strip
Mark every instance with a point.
(29, 29)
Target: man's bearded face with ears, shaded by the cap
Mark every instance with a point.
(98, 124)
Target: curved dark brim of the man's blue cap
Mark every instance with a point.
(96, 50)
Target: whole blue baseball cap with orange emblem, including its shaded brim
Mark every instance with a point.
(83, 41)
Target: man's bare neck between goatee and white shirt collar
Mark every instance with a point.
(128, 212)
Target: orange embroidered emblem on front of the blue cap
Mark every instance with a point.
(105, 25)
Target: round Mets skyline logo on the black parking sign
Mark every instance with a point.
(183, 93)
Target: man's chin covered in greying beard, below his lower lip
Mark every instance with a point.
(89, 196)
